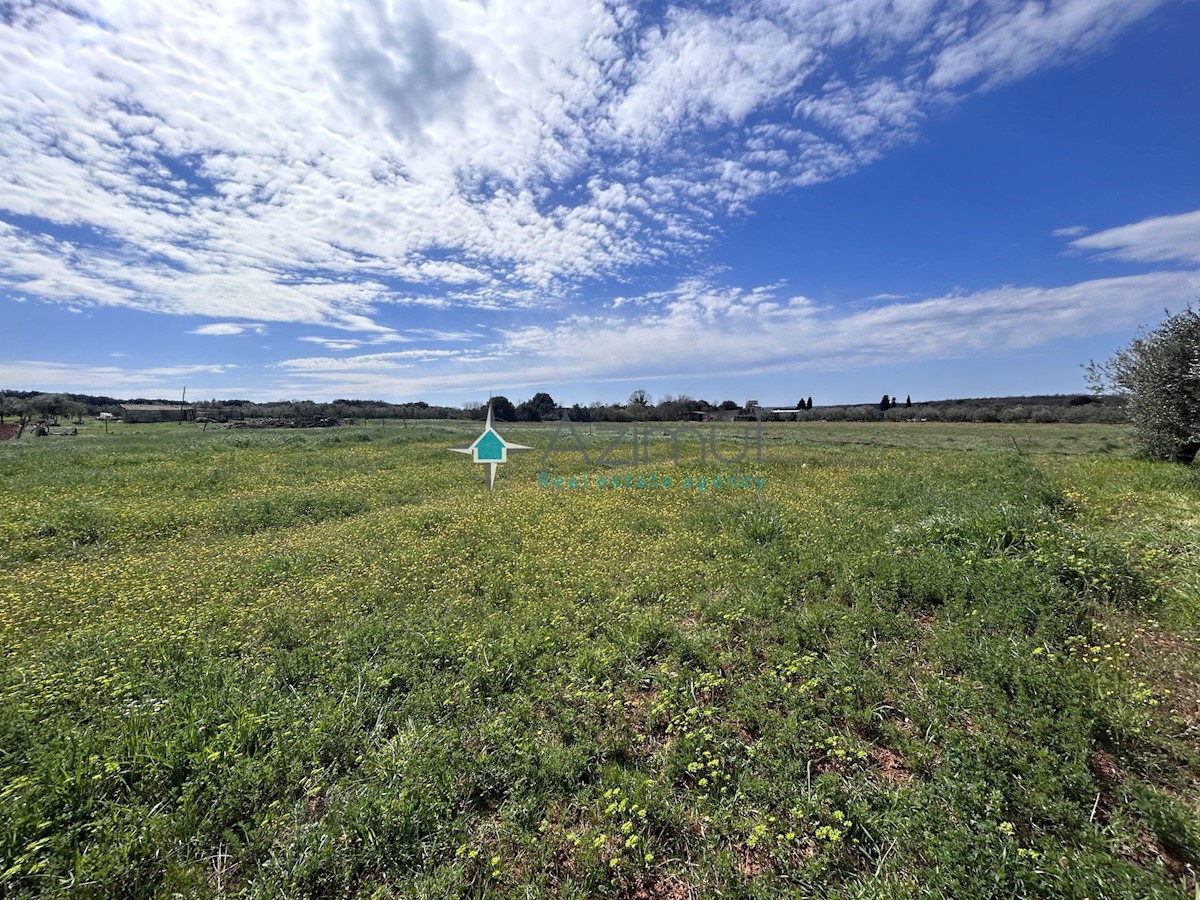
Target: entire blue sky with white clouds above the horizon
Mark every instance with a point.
(452, 200)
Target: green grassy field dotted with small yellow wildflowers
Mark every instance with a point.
(944, 661)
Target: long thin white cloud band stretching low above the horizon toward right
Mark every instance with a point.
(703, 328)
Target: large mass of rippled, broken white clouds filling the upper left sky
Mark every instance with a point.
(332, 165)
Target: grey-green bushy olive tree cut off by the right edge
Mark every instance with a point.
(1160, 375)
